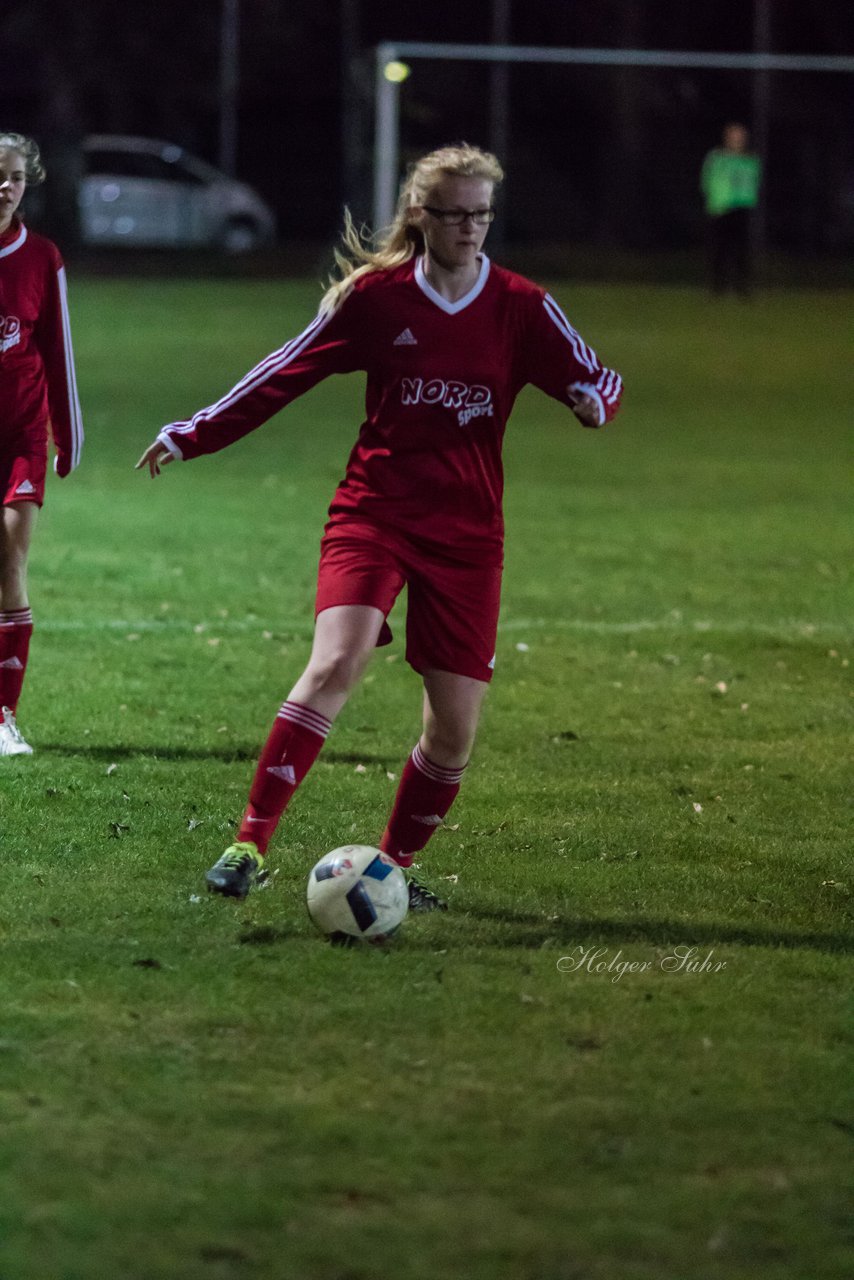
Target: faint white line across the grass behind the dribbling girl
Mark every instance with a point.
(271, 629)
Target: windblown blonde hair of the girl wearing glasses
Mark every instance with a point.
(404, 240)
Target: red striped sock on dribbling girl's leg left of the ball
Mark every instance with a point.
(295, 742)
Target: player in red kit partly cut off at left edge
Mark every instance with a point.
(38, 395)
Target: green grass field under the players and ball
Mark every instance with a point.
(197, 1089)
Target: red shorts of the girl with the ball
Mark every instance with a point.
(453, 607)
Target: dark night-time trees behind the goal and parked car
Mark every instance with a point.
(599, 156)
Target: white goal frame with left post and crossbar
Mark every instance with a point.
(387, 148)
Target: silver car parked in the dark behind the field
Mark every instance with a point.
(150, 194)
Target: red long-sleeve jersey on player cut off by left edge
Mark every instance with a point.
(38, 381)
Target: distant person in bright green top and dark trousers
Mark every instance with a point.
(730, 184)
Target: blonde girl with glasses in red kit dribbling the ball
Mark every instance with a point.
(447, 341)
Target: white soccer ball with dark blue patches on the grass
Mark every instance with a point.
(358, 892)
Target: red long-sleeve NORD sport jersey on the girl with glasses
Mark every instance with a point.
(442, 381)
